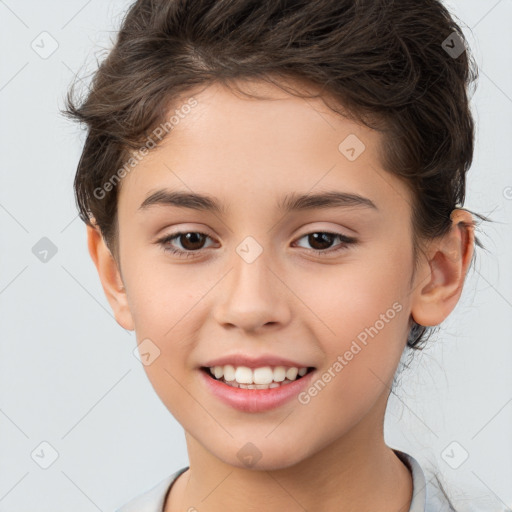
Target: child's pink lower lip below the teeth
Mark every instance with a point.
(256, 400)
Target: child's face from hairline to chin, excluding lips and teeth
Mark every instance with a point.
(326, 286)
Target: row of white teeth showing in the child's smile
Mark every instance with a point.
(264, 376)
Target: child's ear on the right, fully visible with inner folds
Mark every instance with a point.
(440, 279)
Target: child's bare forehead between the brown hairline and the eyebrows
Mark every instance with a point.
(230, 144)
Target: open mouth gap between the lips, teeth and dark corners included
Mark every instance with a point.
(262, 378)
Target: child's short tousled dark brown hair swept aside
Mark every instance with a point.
(381, 61)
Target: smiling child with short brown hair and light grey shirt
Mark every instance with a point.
(316, 152)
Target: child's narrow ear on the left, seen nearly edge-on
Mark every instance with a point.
(110, 277)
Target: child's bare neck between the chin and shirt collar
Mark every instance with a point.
(357, 472)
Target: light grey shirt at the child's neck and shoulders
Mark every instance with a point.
(426, 496)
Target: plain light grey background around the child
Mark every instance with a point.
(68, 376)
